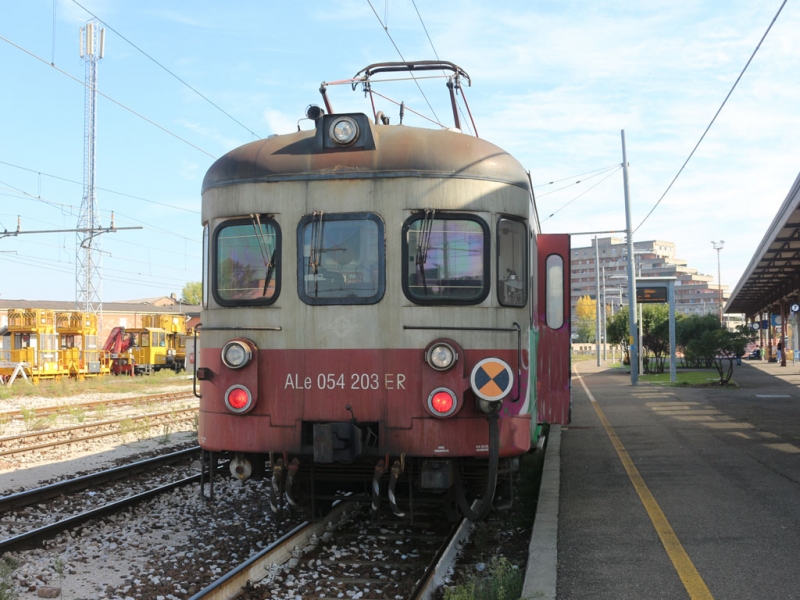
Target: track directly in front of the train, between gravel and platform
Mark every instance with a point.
(348, 555)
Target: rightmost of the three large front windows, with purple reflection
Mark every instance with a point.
(445, 258)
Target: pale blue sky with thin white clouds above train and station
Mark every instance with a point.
(554, 83)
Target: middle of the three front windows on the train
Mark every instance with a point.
(341, 258)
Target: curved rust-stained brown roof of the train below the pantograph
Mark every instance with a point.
(387, 151)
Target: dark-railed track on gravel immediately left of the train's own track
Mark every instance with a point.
(40, 495)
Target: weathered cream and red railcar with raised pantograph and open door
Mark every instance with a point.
(382, 314)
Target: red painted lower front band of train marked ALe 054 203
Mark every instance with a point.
(389, 388)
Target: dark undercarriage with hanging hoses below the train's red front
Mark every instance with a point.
(400, 485)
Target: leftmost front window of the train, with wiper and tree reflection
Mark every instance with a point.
(247, 266)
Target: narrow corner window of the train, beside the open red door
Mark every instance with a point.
(512, 264)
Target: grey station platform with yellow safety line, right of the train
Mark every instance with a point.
(665, 492)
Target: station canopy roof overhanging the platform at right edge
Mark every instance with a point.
(773, 274)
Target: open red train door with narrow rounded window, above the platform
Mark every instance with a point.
(553, 384)
